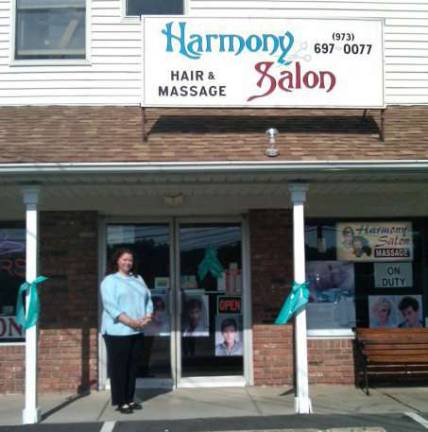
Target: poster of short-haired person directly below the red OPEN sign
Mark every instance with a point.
(228, 335)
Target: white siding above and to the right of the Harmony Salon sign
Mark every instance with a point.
(406, 33)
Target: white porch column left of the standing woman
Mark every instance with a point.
(31, 413)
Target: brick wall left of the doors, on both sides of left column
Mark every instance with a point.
(68, 325)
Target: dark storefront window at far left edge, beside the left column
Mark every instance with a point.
(12, 274)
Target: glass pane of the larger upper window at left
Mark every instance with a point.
(50, 29)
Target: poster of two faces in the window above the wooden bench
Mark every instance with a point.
(402, 311)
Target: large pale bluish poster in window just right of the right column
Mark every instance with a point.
(331, 294)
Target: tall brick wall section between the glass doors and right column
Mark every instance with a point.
(271, 277)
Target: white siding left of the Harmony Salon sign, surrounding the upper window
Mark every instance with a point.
(111, 77)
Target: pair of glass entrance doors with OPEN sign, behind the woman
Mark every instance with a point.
(194, 272)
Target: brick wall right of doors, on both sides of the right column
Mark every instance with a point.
(330, 360)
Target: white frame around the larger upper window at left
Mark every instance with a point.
(49, 62)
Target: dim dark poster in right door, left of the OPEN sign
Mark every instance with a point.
(195, 315)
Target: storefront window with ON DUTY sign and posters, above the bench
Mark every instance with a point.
(364, 274)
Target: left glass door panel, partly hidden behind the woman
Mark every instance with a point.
(150, 244)
